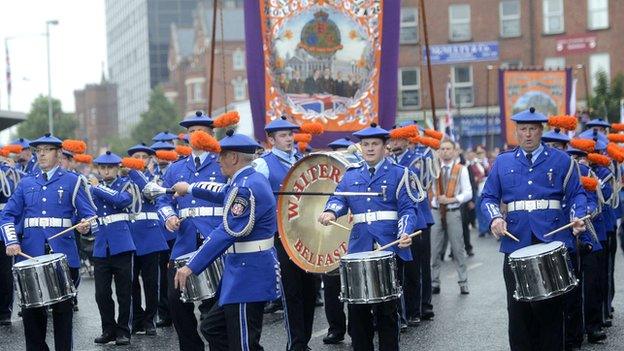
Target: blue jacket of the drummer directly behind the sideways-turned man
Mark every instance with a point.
(184, 170)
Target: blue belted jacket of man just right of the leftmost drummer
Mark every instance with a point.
(113, 238)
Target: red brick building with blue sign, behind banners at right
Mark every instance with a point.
(464, 43)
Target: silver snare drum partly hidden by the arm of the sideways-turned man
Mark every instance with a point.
(202, 286)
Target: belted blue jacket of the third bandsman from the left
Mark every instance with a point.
(148, 234)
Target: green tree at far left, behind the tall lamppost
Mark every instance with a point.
(36, 123)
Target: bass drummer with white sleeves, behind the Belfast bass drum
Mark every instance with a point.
(300, 287)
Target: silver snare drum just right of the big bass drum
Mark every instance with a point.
(368, 277)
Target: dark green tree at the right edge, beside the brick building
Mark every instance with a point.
(605, 102)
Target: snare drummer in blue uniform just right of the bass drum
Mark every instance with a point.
(377, 220)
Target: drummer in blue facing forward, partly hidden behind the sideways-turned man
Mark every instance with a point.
(192, 219)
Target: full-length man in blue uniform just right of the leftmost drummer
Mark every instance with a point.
(113, 249)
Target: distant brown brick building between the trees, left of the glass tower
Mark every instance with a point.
(96, 112)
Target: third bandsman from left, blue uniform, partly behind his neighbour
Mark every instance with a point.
(149, 238)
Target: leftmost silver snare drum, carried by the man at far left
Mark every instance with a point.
(43, 281)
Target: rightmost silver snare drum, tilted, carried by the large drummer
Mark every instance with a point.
(542, 271)
